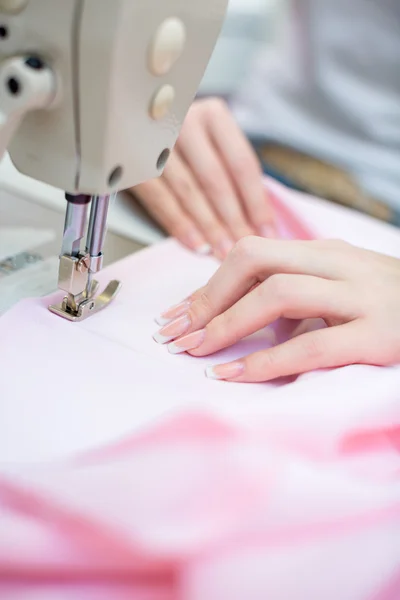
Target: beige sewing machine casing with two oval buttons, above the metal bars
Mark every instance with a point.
(125, 73)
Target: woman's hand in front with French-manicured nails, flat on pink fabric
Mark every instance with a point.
(356, 292)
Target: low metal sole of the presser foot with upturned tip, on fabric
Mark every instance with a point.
(89, 306)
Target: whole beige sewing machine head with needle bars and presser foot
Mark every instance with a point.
(92, 97)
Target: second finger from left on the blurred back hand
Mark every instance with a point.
(194, 203)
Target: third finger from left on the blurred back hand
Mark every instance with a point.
(213, 178)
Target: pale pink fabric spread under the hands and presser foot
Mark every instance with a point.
(124, 473)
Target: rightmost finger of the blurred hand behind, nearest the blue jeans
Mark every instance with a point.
(244, 168)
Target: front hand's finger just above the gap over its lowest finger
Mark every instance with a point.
(291, 296)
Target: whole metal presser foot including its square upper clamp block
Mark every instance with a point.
(81, 301)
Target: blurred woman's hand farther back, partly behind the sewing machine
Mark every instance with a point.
(211, 193)
